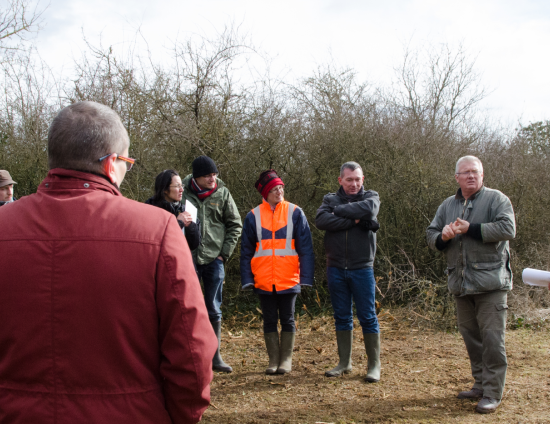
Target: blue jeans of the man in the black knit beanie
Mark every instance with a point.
(212, 276)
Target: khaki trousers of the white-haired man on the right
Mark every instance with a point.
(482, 323)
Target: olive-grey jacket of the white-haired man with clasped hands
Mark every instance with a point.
(476, 265)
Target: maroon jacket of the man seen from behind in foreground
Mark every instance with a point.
(102, 319)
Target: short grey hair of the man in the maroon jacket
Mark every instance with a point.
(82, 133)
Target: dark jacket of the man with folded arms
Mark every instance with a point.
(349, 245)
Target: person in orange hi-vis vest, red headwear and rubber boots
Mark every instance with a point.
(276, 259)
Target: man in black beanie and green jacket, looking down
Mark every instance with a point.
(220, 229)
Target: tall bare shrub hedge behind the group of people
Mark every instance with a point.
(407, 139)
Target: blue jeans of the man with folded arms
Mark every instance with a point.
(346, 286)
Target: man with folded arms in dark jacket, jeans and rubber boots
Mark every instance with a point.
(349, 218)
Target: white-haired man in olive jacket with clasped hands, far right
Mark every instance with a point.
(472, 229)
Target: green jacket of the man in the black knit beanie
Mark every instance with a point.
(221, 223)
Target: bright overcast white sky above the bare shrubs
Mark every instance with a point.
(509, 38)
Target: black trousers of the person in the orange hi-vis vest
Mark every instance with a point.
(277, 307)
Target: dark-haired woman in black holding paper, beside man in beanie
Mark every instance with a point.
(168, 194)
